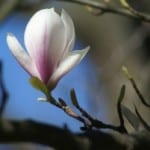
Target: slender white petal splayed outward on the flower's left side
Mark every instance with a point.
(21, 56)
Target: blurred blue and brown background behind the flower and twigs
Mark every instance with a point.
(115, 41)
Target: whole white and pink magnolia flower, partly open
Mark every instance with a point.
(49, 40)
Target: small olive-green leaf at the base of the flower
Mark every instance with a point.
(39, 85)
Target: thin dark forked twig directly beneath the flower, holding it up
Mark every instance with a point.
(88, 121)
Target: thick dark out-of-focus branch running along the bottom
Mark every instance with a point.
(31, 131)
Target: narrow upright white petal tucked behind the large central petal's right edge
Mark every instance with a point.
(70, 32)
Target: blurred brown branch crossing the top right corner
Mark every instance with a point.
(105, 8)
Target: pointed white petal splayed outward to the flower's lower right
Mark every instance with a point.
(69, 62)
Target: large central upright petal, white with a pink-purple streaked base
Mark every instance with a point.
(45, 41)
